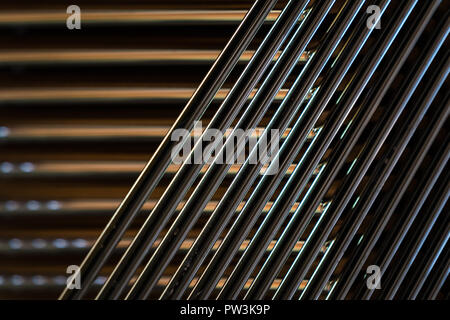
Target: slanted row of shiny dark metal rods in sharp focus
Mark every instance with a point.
(365, 126)
